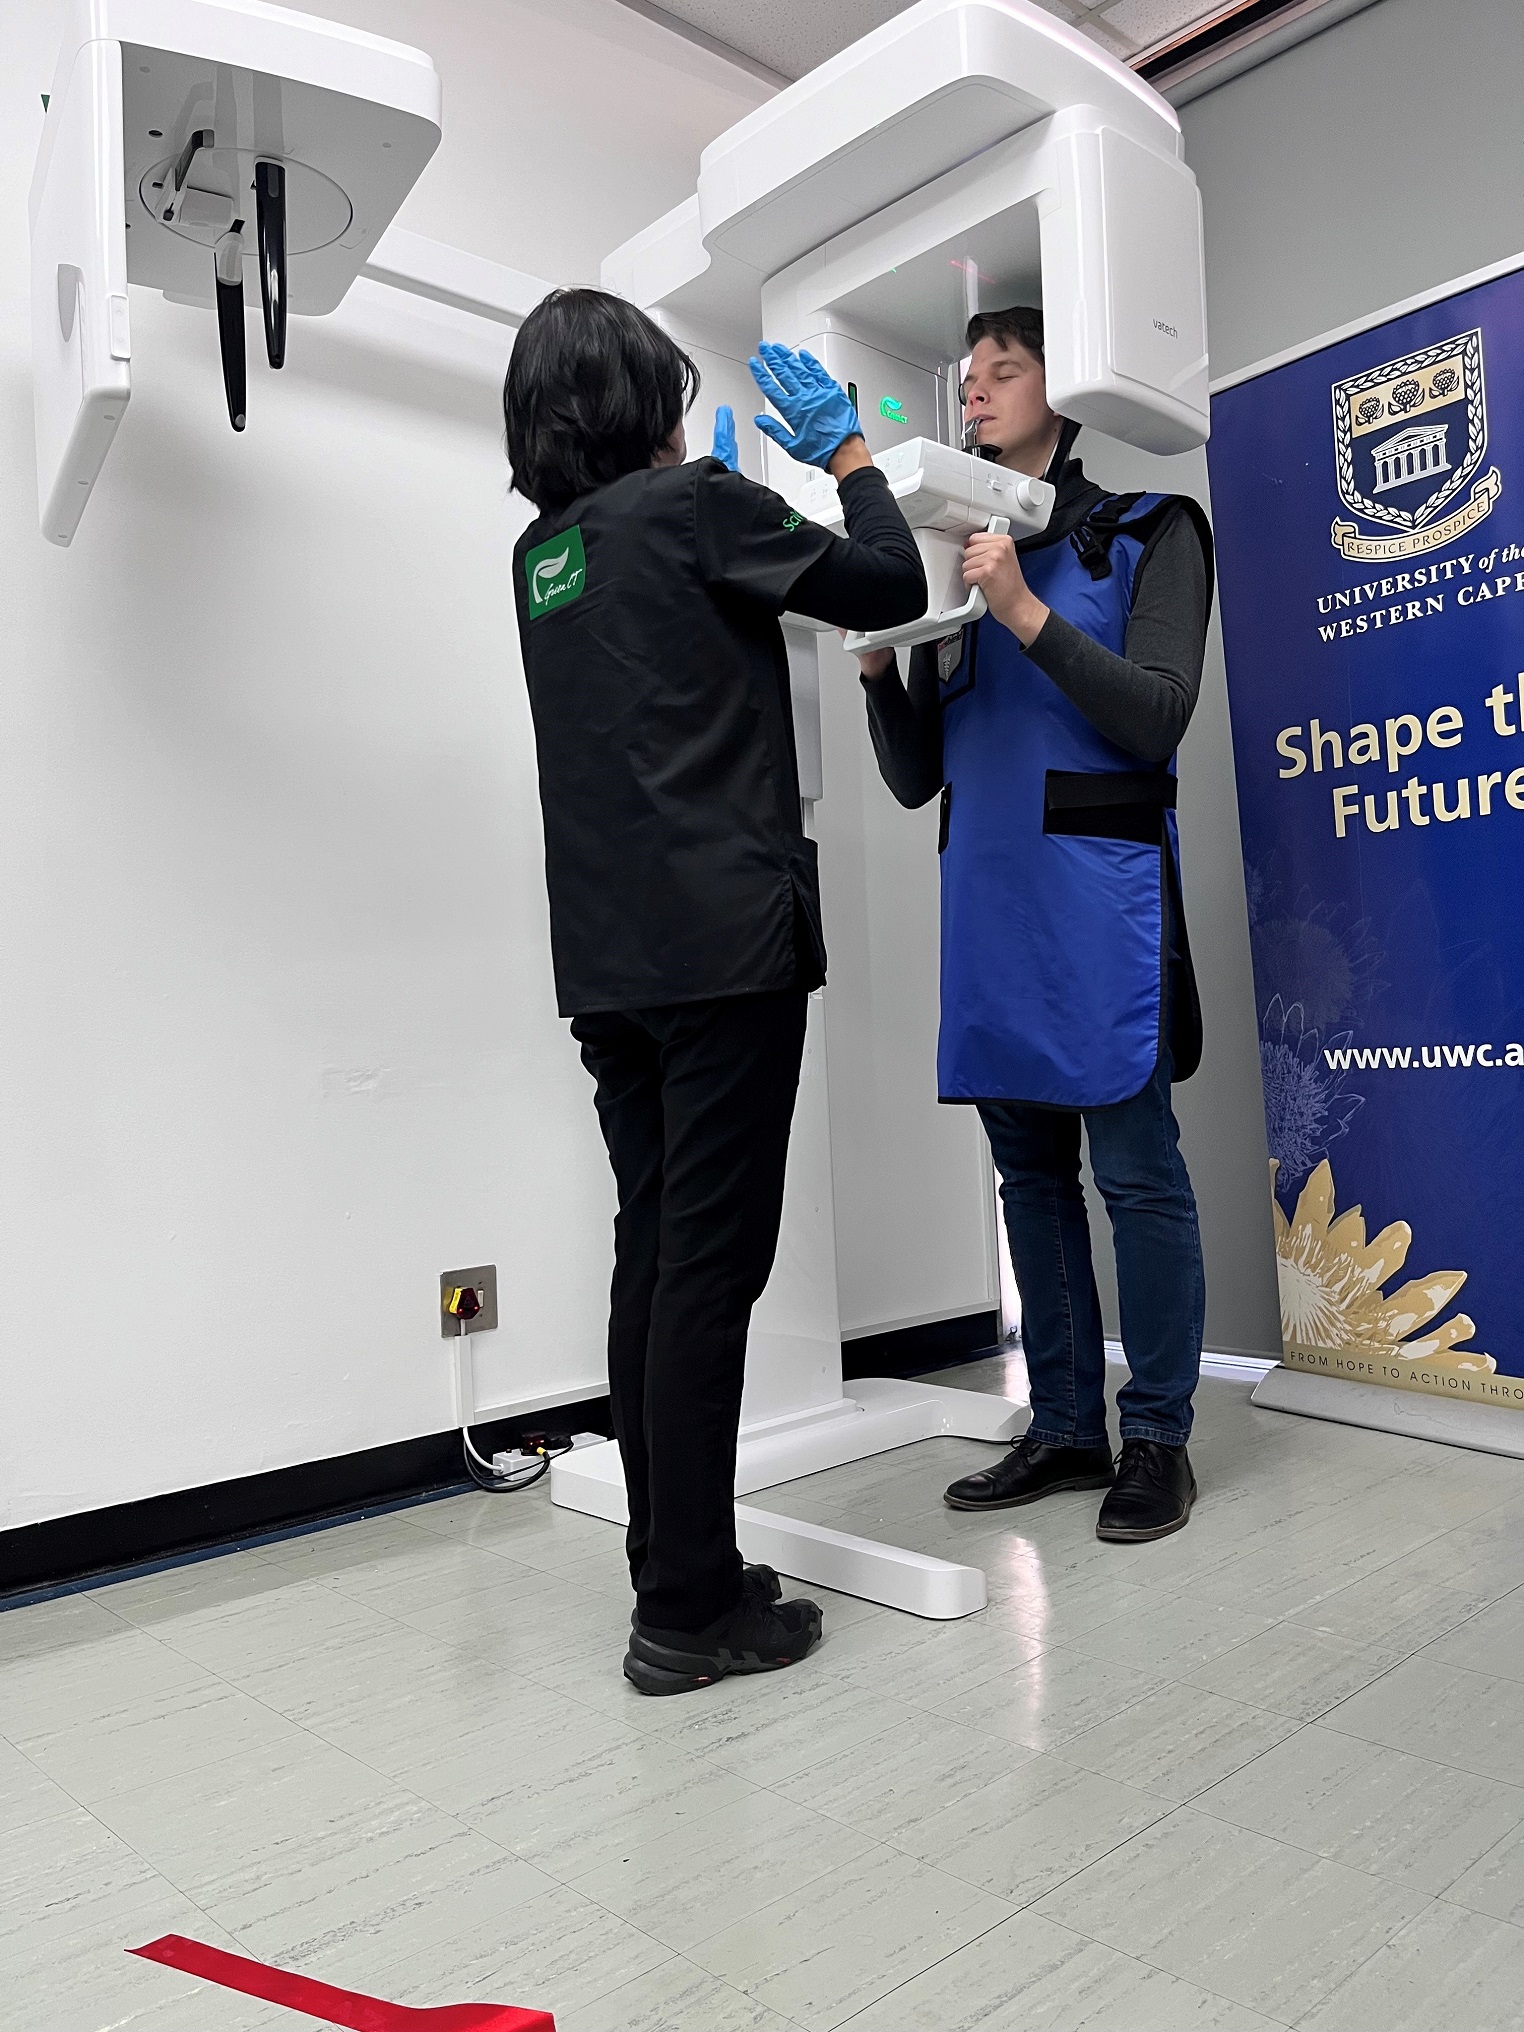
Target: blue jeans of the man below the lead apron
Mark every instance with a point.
(1135, 1153)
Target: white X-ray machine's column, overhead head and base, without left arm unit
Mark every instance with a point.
(970, 153)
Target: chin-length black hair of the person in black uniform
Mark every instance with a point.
(594, 391)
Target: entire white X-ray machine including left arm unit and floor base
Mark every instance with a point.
(972, 153)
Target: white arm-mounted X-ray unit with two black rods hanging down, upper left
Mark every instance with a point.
(186, 141)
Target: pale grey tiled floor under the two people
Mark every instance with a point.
(1269, 1773)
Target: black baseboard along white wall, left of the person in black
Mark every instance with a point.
(94, 1547)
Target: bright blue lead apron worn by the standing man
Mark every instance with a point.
(1058, 865)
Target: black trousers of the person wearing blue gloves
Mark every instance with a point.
(696, 1102)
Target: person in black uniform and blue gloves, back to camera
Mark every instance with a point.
(686, 922)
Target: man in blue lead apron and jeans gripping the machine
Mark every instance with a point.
(1050, 731)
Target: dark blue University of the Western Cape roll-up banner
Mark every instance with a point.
(1369, 499)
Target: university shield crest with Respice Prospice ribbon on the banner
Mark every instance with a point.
(1409, 438)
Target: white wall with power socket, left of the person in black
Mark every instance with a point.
(277, 1033)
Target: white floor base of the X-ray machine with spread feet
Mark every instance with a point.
(877, 1417)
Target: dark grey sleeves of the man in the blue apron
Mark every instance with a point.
(1141, 700)
